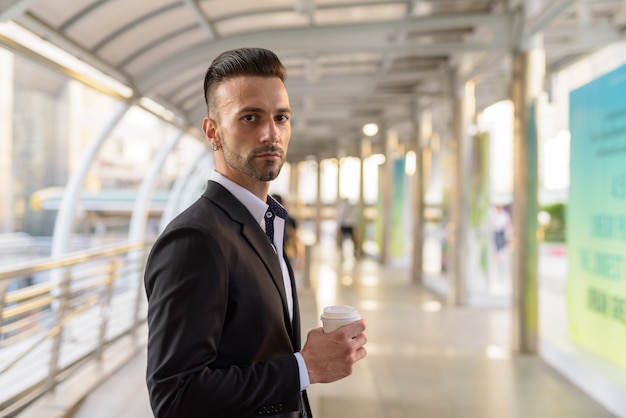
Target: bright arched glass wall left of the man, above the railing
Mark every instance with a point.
(48, 122)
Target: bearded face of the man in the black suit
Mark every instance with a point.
(251, 124)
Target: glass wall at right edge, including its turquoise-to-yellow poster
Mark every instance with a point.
(582, 286)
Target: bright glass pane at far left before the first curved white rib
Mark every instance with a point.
(53, 119)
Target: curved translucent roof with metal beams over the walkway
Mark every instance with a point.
(349, 62)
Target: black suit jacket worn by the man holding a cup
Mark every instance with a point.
(220, 340)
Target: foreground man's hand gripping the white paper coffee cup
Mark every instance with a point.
(330, 357)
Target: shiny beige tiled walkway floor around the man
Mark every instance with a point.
(425, 360)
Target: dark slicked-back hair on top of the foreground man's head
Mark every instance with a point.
(243, 61)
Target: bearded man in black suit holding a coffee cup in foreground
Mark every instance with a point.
(224, 330)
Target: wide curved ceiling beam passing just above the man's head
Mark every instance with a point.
(362, 38)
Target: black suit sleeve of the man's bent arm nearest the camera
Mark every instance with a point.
(187, 284)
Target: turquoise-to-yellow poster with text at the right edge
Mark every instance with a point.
(596, 217)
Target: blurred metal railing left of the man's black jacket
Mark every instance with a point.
(58, 314)
